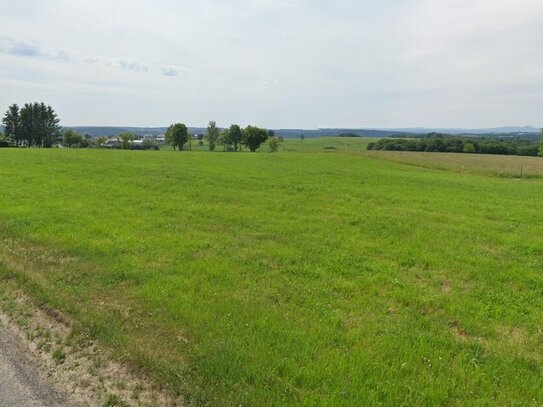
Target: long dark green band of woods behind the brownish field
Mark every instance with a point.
(455, 144)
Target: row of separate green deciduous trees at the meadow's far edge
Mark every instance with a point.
(231, 139)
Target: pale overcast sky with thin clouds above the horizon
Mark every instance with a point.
(276, 63)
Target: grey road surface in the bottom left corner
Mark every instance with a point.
(20, 381)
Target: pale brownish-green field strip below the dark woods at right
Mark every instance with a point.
(486, 164)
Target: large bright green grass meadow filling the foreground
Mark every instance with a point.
(310, 278)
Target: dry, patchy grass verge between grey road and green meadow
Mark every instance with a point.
(70, 360)
